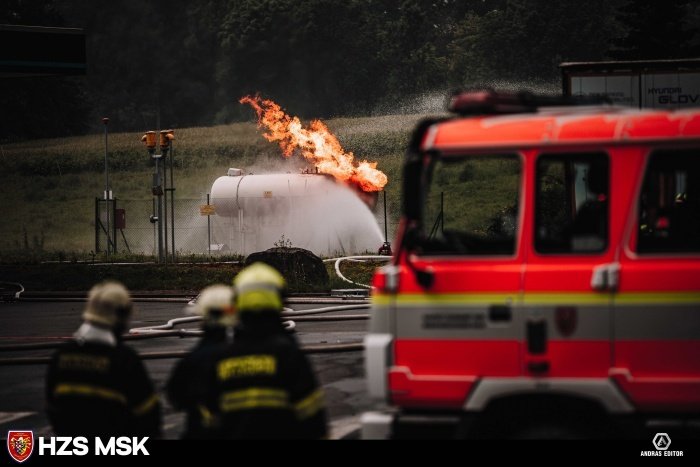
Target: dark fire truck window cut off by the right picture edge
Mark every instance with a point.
(669, 204)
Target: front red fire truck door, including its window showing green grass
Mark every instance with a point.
(463, 324)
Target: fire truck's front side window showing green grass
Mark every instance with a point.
(472, 206)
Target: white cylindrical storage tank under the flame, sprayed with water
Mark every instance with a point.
(257, 212)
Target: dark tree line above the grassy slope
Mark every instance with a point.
(178, 63)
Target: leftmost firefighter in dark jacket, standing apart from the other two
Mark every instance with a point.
(96, 385)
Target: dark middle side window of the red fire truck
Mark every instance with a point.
(571, 205)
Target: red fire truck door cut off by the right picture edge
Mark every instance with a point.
(657, 307)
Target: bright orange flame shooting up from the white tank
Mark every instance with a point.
(316, 143)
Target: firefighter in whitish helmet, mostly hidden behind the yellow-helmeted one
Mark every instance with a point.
(185, 387)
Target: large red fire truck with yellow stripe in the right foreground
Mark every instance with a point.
(545, 276)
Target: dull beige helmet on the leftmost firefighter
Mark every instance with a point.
(108, 304)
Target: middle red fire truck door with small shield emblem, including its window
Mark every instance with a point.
(567, 292)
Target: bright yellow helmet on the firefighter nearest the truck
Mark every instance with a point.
(258, 288)
